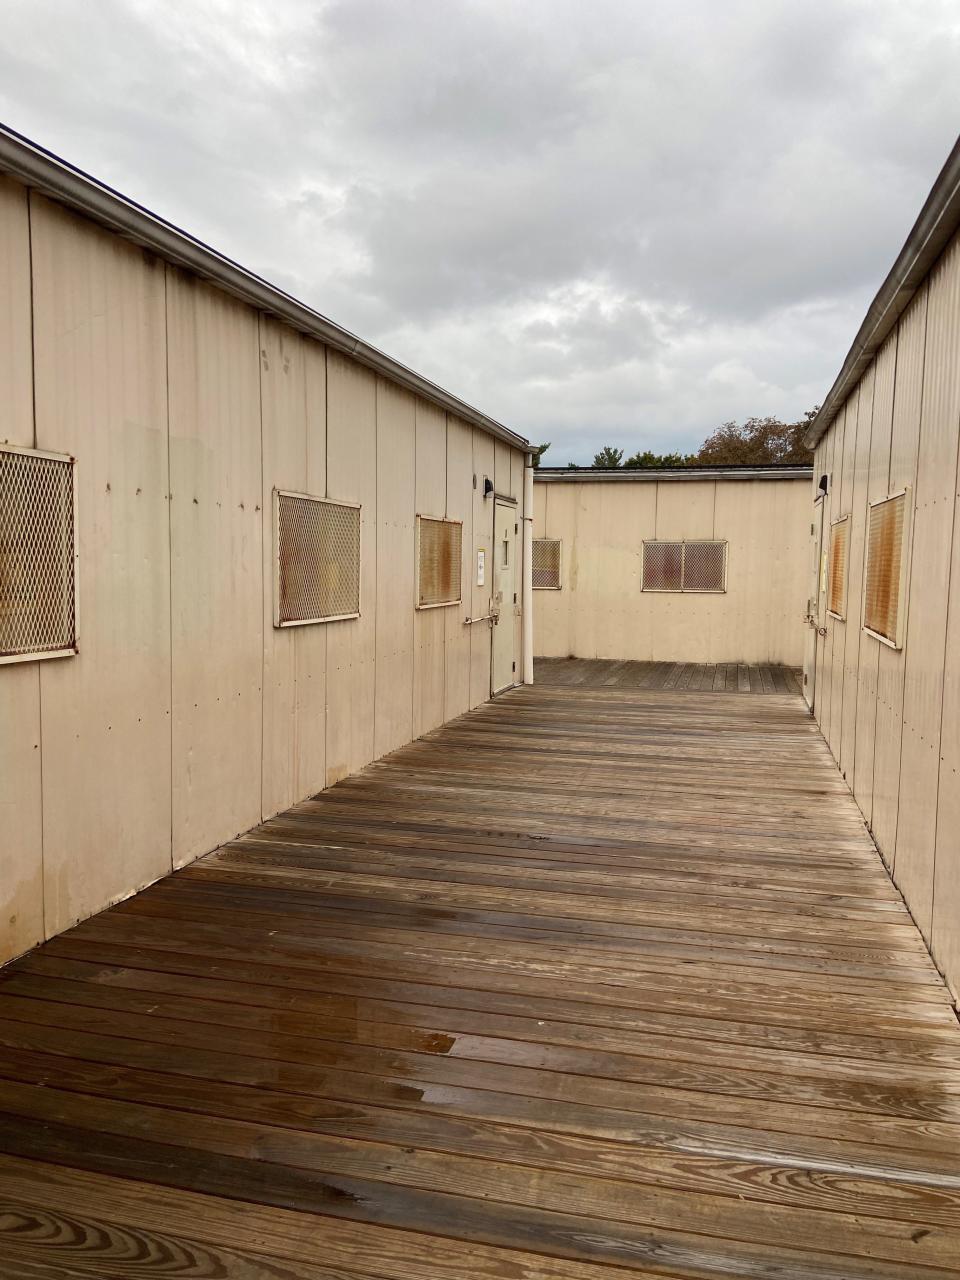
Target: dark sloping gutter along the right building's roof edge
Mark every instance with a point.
(930, 236)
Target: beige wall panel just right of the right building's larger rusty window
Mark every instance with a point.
(927, 612)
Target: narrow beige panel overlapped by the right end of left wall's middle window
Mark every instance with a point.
(351, 646)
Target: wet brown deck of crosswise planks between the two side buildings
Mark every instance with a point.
(592, 984)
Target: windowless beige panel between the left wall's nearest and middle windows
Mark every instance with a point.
(217, 529)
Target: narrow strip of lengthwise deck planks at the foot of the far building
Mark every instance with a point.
(696, 678)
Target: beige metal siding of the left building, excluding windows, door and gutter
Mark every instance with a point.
(188, 715)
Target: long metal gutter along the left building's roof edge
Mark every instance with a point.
(47, 173)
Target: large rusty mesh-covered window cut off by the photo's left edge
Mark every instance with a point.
(38, 561)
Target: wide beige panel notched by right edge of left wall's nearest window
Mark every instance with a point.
(100, 368)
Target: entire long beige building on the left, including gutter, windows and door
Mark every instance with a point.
(244, 554)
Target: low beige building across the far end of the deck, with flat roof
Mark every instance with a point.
(701, 565)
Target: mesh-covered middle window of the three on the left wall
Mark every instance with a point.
(318, 560)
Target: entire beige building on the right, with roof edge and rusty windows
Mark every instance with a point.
(884, 653)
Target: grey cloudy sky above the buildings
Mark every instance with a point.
(598, 222)
